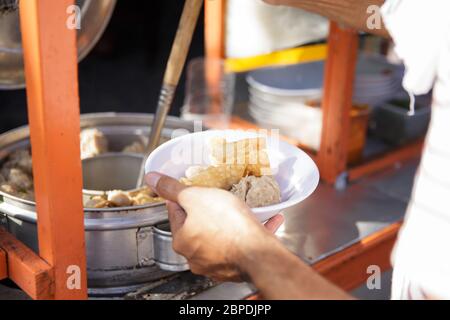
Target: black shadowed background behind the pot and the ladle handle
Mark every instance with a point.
(124, 71)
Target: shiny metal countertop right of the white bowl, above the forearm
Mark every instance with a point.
(351, 214)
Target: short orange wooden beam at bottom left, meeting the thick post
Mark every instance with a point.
(32, 274)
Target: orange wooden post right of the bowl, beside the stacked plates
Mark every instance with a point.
(337, 101)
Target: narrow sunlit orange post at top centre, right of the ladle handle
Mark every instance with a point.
(215, 14)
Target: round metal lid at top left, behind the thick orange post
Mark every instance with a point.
(95, 15)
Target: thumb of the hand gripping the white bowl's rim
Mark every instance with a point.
(166, 187)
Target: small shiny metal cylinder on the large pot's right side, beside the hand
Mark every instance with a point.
(165, 257)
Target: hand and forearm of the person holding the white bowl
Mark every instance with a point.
(221, 239)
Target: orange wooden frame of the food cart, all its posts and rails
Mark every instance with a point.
(50, 52)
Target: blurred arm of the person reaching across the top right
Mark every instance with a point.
(349, 12)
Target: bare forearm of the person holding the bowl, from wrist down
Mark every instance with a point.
(278, 274)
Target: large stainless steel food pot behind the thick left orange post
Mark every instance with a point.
(119, 242)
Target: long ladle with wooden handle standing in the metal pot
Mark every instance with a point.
(175, 65)
